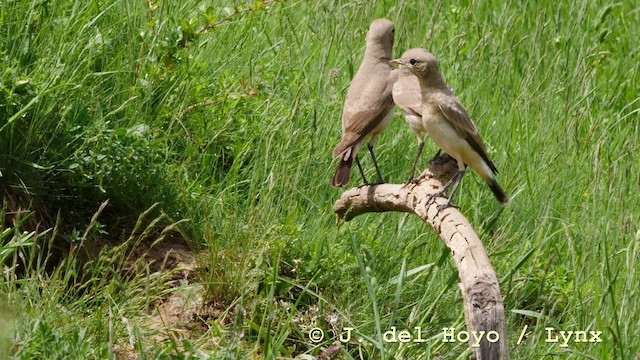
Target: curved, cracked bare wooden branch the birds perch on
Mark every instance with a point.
(483, 307)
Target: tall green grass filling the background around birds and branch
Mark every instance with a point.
(97, 102)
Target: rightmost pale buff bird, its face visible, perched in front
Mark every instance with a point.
(447, 123)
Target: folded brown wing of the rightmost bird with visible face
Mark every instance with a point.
(457, 116)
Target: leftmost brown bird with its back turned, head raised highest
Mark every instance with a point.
(368, 106)
